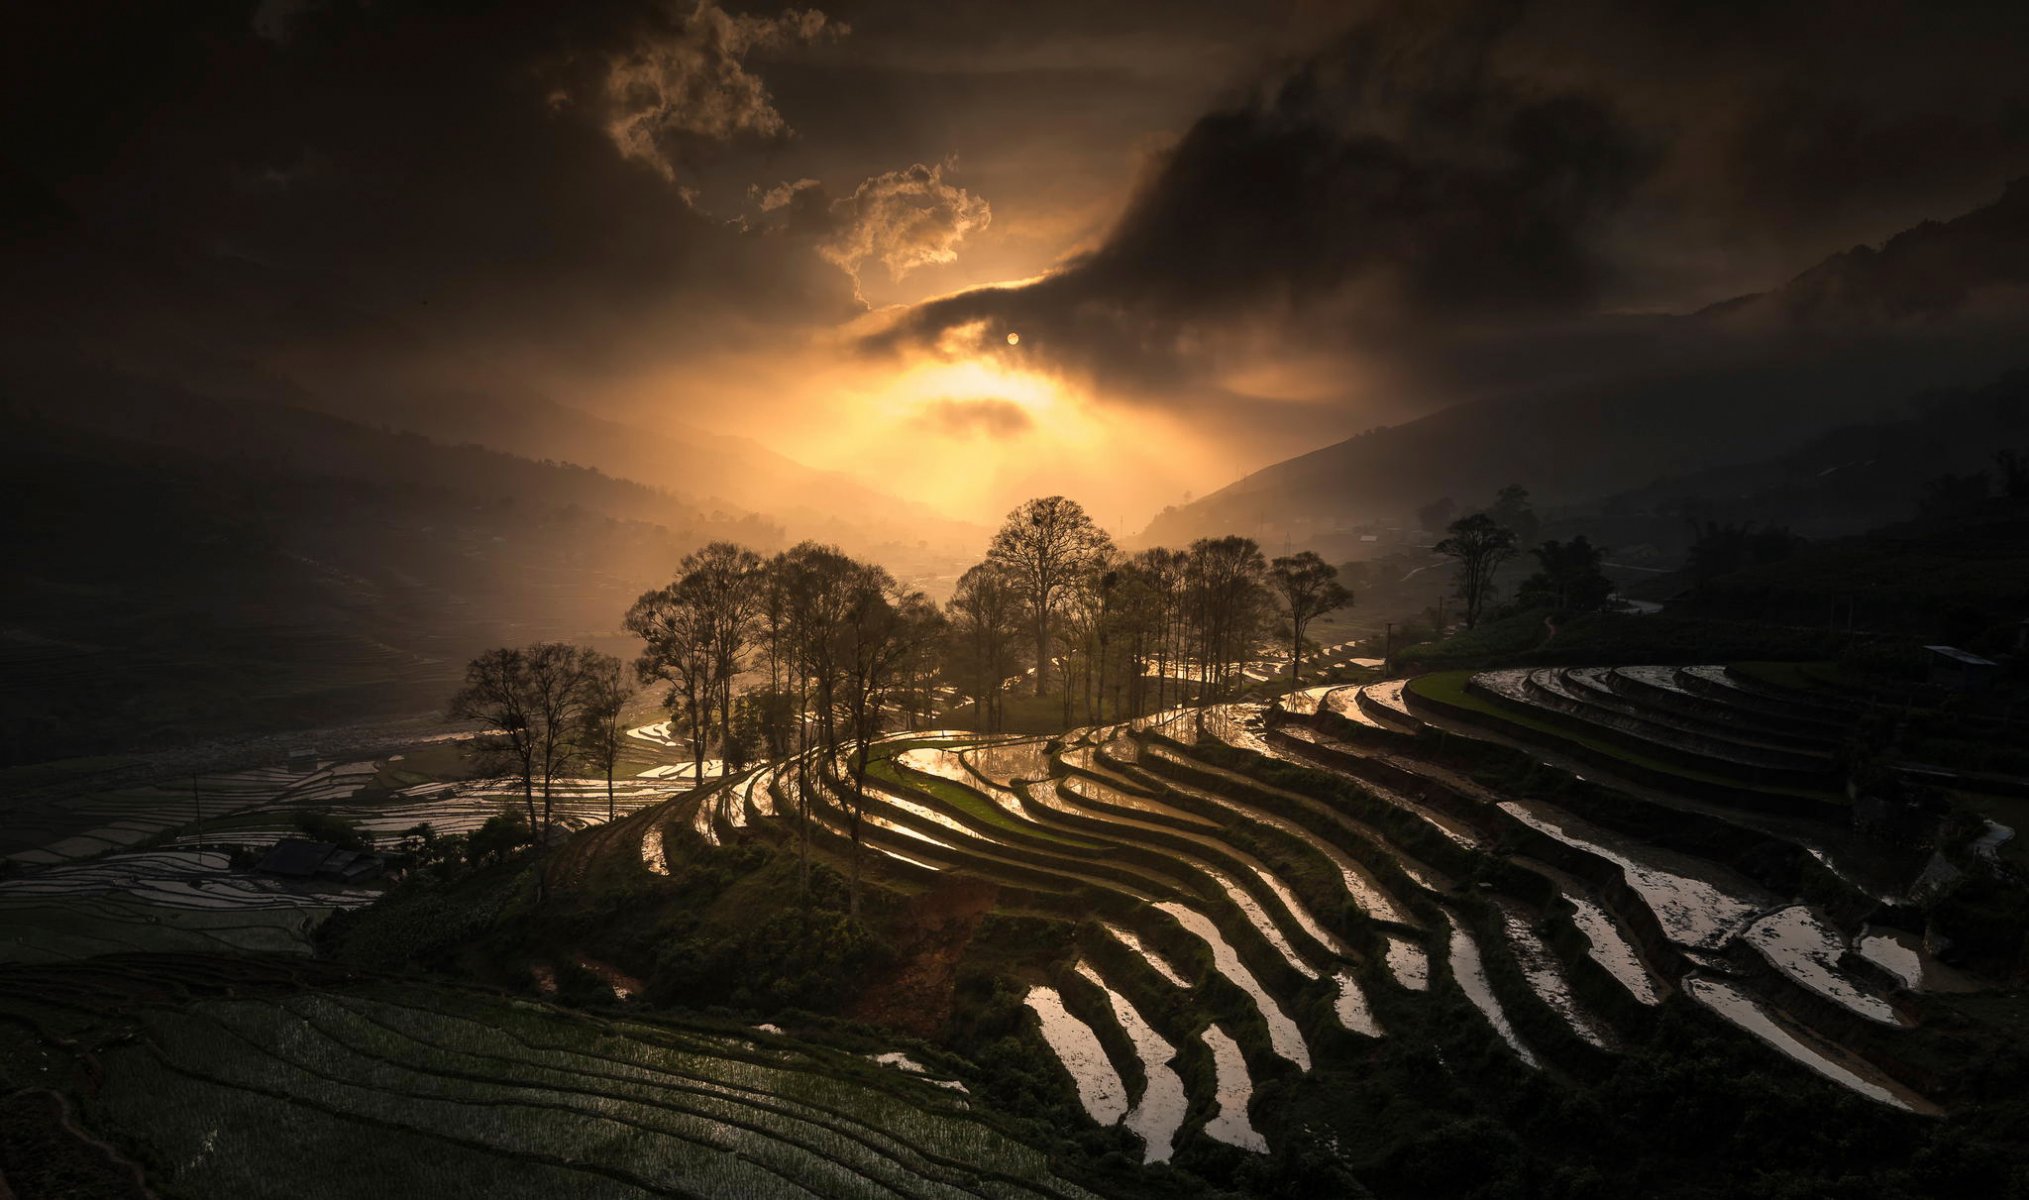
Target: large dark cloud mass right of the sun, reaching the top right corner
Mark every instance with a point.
(1472, 182)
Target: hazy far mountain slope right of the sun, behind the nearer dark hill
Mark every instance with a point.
(1657, 397)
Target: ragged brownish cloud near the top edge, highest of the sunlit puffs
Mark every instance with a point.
(685, 86)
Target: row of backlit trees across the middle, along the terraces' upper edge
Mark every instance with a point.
(811, 655)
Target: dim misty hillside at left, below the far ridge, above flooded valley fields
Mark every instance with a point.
(200, 568)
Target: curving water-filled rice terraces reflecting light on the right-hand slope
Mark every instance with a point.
(1259, 890)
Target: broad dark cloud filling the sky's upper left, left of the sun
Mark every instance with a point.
(445, 174)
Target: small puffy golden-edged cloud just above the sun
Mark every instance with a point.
(904, 220)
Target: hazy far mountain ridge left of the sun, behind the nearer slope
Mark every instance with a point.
(218, 324)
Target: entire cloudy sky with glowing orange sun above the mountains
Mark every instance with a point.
(971, 253)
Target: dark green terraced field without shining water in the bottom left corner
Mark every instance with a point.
(226, 1079)
